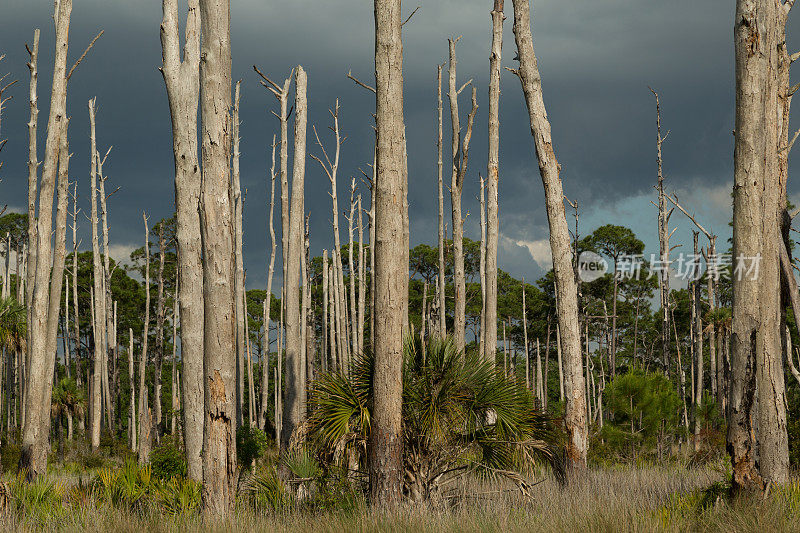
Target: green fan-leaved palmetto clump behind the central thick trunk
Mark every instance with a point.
(459, 413)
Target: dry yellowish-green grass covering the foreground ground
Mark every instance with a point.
(652, 498)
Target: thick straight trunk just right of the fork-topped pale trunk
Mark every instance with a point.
(219, 438)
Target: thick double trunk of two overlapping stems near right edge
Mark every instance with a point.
(754, 158)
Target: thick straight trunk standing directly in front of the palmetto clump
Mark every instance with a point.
(390, 274)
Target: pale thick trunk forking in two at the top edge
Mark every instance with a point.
(182, 80)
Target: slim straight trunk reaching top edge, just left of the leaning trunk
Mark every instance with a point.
(492, 216)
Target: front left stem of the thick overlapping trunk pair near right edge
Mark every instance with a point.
(753, 43)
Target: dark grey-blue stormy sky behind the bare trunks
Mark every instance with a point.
(597, 59)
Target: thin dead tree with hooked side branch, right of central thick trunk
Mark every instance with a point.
(460, 154)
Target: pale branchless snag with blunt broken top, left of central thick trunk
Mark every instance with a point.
(295, 405)
